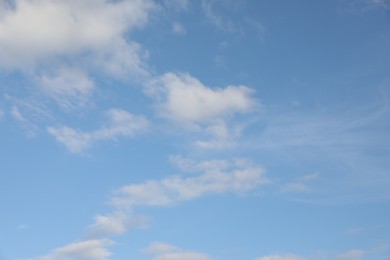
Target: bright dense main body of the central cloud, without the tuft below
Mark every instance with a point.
(185, 99)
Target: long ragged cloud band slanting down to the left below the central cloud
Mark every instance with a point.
(212, 177)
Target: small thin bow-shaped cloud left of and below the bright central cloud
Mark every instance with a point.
(121, 123)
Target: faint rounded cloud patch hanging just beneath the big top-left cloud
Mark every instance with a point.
(68, 86)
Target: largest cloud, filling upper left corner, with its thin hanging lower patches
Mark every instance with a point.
(60, 43)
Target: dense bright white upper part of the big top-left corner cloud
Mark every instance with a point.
(32, 31)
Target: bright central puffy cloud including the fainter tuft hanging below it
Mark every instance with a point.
(207, 111)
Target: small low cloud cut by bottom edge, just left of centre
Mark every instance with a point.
(163, 251)
